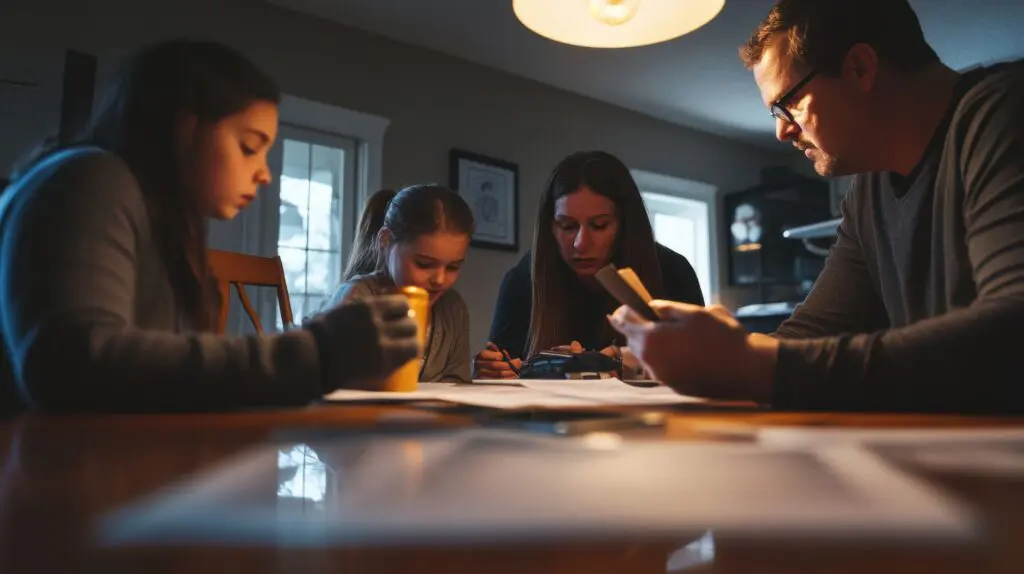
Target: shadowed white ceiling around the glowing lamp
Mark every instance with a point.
(696, 81)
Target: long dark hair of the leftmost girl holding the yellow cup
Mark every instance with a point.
(138, 121)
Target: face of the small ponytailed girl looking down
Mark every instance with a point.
(433, 261)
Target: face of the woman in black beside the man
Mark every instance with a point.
(586, 227)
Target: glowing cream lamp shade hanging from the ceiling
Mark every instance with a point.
(615, 24)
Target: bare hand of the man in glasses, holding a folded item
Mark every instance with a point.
(701, 351)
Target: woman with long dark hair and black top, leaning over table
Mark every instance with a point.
(591, 214)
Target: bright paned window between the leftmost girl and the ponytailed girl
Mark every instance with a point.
(317, 199)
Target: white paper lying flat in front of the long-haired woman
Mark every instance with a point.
(529, 393)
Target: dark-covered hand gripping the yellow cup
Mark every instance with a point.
(368, 340)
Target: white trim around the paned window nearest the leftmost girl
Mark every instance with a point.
(367, 129)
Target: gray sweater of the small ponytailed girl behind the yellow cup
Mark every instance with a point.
(448, 345)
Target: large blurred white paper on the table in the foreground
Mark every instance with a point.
(478, 485)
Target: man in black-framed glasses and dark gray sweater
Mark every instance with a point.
(921, 303)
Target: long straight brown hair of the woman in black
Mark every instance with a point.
(554, 282)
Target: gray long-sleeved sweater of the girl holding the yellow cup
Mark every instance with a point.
(90, 321)
